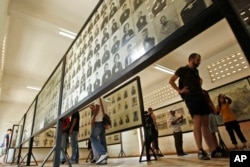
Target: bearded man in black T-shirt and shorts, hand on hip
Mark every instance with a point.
(191, 91)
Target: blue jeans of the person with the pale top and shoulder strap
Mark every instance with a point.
(98, 138)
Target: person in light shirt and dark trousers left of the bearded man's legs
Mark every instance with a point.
(175, 123)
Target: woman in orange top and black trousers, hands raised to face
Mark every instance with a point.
(230, 121)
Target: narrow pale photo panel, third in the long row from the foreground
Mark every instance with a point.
(29, 118)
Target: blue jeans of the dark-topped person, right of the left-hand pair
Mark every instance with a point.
(74, 146)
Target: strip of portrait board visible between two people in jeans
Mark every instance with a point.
(85, 124)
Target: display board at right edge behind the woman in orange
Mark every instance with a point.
(239, 92)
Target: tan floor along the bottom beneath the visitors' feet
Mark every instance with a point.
(190, 160)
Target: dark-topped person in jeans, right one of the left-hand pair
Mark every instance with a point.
(73, 132)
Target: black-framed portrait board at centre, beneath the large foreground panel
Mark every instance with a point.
(125, 106)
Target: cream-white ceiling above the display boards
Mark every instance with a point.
(34, 47)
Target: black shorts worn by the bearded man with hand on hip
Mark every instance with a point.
(197, 105)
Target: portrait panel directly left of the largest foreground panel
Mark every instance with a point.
(48, 101)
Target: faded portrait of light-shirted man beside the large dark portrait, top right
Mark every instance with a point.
(167, 26)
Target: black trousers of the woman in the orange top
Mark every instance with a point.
(233, 126)
